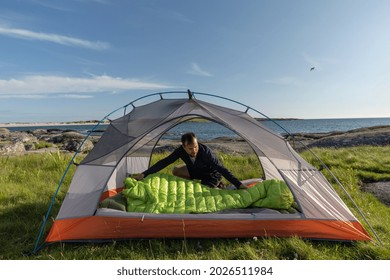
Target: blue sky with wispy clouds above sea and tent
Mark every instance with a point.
(81, 59)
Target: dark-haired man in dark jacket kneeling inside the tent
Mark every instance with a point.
(200, 164)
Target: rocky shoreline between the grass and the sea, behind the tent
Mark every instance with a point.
(42, 140)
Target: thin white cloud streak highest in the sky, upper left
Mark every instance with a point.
(54, 38)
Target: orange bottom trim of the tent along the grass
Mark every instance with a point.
(109, 228)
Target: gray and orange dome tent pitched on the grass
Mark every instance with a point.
(126, 148)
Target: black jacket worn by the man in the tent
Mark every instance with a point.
(206, 167)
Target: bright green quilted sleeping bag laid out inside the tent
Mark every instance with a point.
(163, 193)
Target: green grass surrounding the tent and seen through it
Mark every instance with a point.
(27, 184)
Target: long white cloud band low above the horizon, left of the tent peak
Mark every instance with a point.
(40, 86)
